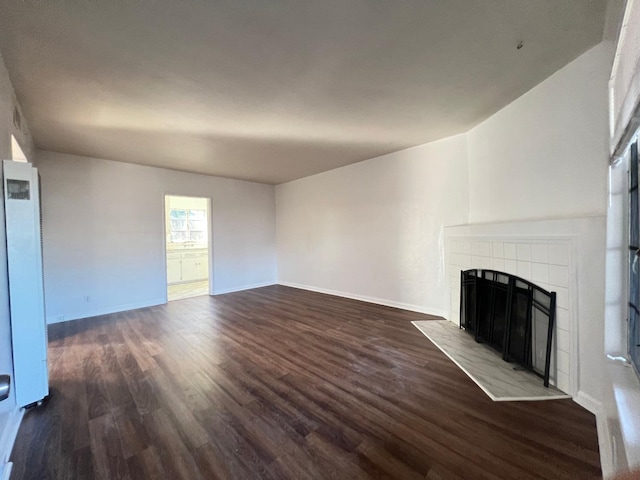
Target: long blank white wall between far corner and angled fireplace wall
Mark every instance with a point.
(373, 230)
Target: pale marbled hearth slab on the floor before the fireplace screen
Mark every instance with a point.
(497, 378)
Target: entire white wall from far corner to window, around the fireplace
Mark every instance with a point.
(373, 230)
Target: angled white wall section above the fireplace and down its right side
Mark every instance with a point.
(545, 156)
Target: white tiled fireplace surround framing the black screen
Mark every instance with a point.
(560, 255)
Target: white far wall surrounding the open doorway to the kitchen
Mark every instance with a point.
(103, 227)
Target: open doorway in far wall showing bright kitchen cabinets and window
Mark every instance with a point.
(187, 246)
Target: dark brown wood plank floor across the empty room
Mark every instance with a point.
(282, 383)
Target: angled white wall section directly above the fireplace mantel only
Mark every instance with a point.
(545, 155)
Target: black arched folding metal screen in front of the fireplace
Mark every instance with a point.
(510, 314)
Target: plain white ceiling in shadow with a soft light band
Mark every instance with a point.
(276, 90)
